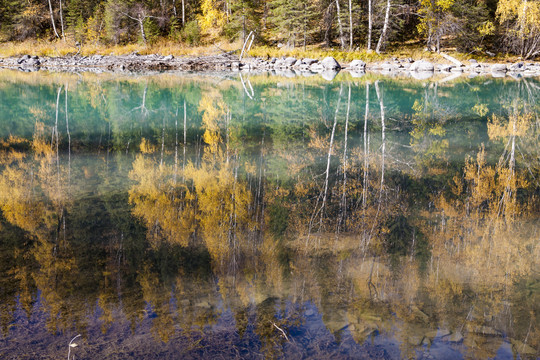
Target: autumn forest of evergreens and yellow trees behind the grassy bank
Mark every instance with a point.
(477, 27)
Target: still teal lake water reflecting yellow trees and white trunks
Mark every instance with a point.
(190, 216)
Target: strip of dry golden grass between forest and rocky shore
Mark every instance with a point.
(165, 47)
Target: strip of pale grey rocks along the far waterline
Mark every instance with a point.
(327, 67)
